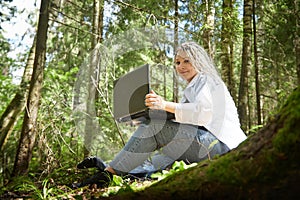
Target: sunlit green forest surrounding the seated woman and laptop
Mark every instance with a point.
(59, 110)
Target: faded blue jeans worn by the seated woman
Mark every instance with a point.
(159, 143)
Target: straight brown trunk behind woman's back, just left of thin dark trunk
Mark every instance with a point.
(246, 64)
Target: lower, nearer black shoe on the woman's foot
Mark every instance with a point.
(101, 179)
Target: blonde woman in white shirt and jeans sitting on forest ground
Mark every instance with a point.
(206, 122)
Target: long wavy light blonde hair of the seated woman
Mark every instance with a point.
(198, 58)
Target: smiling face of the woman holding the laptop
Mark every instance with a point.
(184, 67)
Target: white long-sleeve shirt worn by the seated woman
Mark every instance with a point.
(208, 103)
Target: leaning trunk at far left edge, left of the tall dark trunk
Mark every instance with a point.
(17, 104)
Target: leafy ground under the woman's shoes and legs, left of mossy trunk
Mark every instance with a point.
(57, 184)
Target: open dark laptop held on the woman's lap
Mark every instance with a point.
(129, 97)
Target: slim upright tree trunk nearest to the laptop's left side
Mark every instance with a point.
(91, 120)
